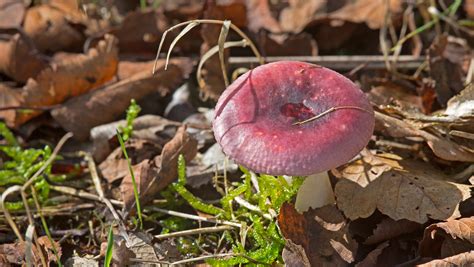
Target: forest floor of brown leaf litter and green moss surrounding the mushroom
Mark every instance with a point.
(69, 67)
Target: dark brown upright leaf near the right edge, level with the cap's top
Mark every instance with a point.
(445, 61)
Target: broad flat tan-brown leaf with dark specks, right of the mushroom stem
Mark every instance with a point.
(397, 189)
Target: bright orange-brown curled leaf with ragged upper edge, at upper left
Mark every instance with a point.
(70, 78)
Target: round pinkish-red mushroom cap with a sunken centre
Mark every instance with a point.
(256, 115)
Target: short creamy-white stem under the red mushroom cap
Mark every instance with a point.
(315, 192)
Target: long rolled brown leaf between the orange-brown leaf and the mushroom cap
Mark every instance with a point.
(80, 114)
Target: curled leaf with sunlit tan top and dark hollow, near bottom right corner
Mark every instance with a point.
(448, 238)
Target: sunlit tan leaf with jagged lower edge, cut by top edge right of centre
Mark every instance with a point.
(372, 12)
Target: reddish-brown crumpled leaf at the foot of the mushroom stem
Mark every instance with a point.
(322, 233)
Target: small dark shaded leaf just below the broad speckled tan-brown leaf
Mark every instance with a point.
(389, 228)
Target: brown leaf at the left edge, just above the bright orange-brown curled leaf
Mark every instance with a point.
(15, 53)
